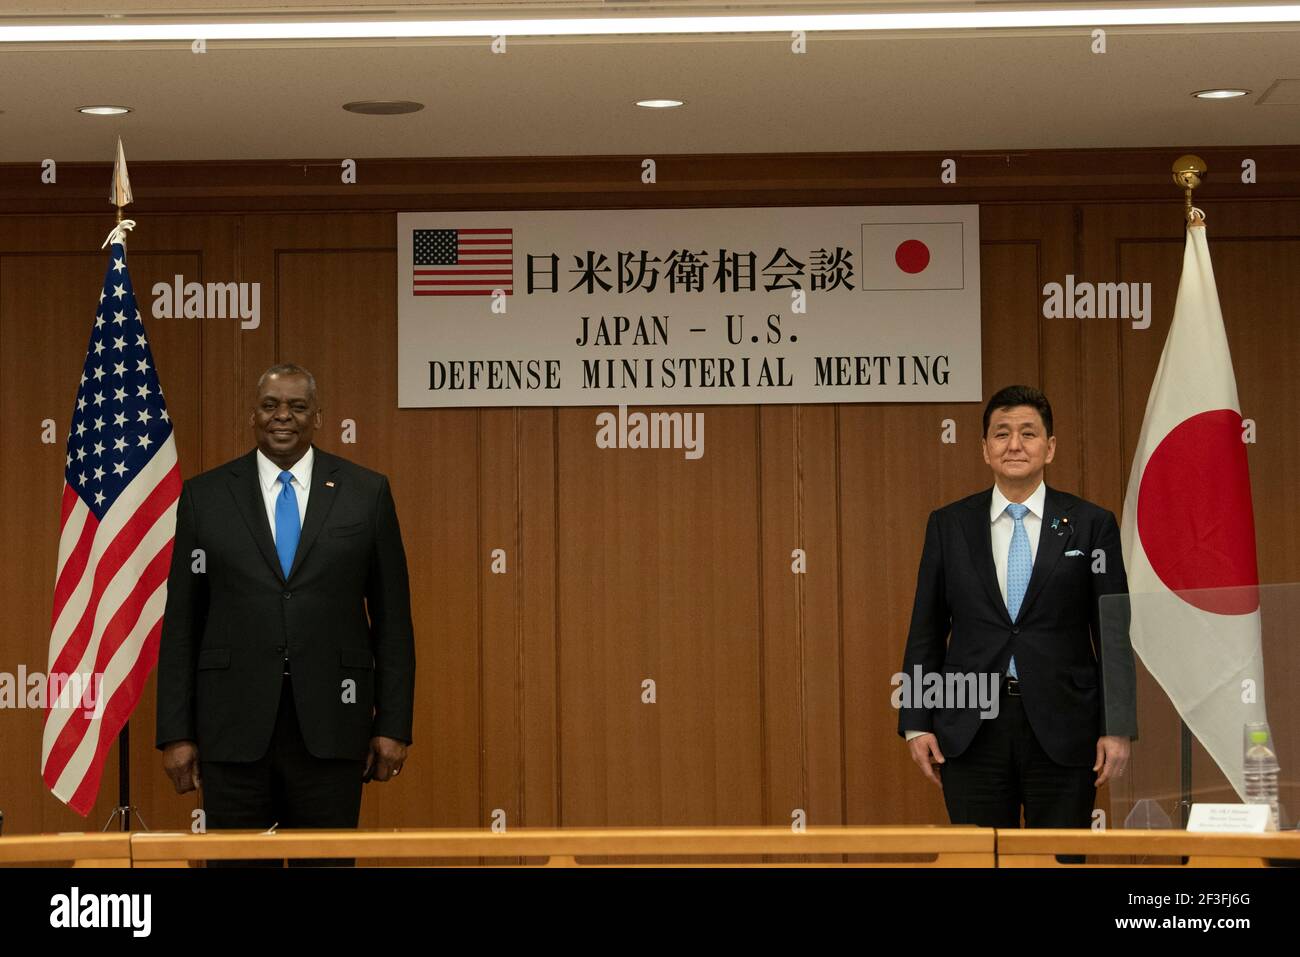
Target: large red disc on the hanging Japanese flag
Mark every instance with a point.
(1195, 517)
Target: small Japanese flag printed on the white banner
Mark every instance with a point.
(913, 256)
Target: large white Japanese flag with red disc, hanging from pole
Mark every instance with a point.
(1189, 529)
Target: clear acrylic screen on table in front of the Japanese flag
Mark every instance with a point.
(1199, 648)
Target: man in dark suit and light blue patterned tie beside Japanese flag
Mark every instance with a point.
(1016, 575)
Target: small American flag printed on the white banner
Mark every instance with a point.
(463, 262)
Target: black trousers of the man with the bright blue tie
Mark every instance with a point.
(288, 787)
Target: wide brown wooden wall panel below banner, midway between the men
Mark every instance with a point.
(652, 591)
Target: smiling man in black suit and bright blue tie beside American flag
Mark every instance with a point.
(287, 664)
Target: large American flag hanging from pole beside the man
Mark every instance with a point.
(122, 484)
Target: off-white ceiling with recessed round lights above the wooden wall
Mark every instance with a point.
(575, 97)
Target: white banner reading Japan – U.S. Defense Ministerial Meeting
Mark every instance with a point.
(664, 308)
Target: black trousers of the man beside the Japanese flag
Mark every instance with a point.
(1006, 768)
